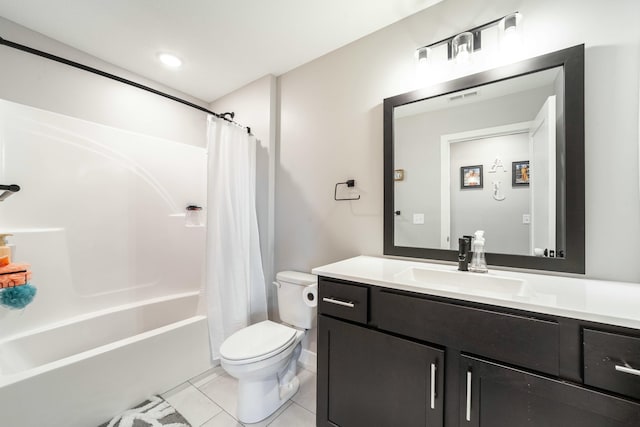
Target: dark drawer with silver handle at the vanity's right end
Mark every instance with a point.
(612, 362)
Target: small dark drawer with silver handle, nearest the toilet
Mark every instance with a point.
(346, 301)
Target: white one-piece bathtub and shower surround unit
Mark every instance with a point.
(119, 314)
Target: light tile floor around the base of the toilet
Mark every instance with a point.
(209, 400)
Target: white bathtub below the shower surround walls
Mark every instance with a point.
(84, 370)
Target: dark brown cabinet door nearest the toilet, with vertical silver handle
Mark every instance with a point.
(367, 378)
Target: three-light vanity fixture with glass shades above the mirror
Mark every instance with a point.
(461, 47)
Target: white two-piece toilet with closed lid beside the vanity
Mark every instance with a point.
(263, 356)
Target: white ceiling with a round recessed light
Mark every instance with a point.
(223, 44)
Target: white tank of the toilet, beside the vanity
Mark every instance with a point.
(291, 306)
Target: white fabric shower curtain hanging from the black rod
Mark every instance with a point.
(235, 285)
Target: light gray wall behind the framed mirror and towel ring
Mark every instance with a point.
(331, 128)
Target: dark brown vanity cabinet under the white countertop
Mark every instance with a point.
(388, 357)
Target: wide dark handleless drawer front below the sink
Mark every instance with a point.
(522, 341)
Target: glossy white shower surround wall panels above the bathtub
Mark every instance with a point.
(124, 235)
